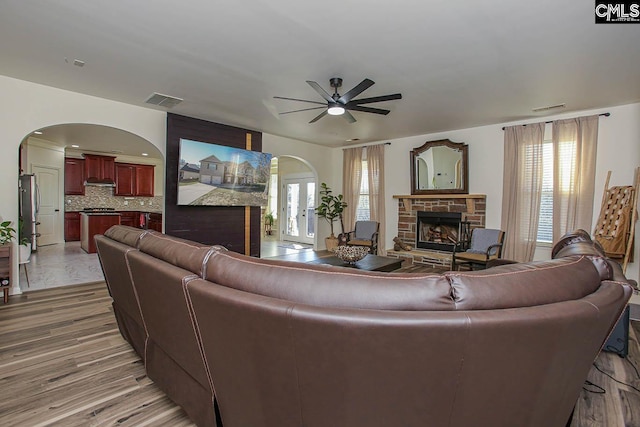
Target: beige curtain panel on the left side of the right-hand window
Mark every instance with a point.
(522, 185)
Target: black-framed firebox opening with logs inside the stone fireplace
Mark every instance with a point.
(442, 231)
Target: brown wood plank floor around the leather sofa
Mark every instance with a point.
(64, 363)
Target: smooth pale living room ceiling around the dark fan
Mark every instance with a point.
(457, 64)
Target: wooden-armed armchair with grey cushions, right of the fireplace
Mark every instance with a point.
(486, 245)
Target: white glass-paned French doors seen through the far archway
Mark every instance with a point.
(298, 206)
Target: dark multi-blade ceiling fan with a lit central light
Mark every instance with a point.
(339, 105)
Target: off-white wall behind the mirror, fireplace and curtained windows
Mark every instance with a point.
(618, 151)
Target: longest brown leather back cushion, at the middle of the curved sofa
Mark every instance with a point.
(327, 286)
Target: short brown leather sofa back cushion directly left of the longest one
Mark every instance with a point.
(179, 252)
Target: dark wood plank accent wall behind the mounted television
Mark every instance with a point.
(211, 225)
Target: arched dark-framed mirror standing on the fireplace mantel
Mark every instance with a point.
(440, 167)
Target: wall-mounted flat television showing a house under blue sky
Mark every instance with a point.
(217, 175)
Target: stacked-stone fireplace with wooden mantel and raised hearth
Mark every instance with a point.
(433, 246)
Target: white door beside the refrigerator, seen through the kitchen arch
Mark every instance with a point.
(49, 217)
